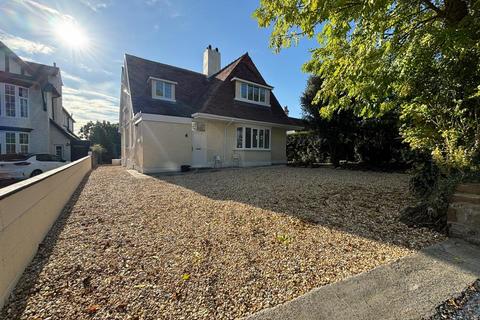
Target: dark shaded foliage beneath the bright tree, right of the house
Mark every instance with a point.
(345, 136)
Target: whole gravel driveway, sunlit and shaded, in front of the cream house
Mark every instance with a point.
(215, 245)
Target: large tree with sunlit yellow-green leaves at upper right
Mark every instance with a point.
(421, 57)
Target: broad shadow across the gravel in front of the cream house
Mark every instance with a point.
(366, 204)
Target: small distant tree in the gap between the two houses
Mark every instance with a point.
(104, 134)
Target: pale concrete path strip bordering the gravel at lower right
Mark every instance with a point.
(409, 288)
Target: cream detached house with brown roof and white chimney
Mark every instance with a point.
(224, 117)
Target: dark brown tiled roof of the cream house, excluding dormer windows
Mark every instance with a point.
(197, 93)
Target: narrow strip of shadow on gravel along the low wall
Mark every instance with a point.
(15, 306)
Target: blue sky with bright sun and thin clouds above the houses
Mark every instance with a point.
(87, 39)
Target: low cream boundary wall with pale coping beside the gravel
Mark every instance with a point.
(28, 210)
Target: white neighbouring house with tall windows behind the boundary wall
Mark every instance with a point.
(32, 118)
